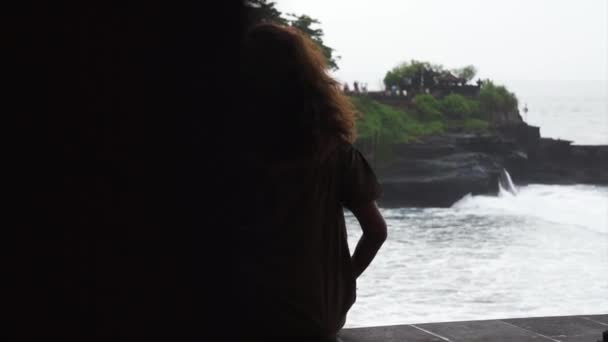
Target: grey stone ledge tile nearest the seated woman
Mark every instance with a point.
(387, 334)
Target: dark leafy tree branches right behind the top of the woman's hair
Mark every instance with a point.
(259, 11)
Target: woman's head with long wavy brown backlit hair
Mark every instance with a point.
(287, 83)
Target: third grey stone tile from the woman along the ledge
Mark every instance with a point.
(565, 328)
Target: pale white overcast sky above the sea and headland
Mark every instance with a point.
(504, 39)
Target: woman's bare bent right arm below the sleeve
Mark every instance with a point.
(374, 234)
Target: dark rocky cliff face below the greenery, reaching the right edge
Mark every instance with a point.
(439, 170)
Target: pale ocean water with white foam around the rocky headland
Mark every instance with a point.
(540, 252)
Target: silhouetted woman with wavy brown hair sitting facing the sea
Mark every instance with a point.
(296, 276)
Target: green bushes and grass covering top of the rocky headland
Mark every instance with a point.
(427, 114)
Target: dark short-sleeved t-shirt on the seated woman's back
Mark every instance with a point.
(297, 263)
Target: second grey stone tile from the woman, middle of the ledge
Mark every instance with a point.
(482, 331)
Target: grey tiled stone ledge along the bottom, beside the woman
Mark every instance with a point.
(539, 329)
